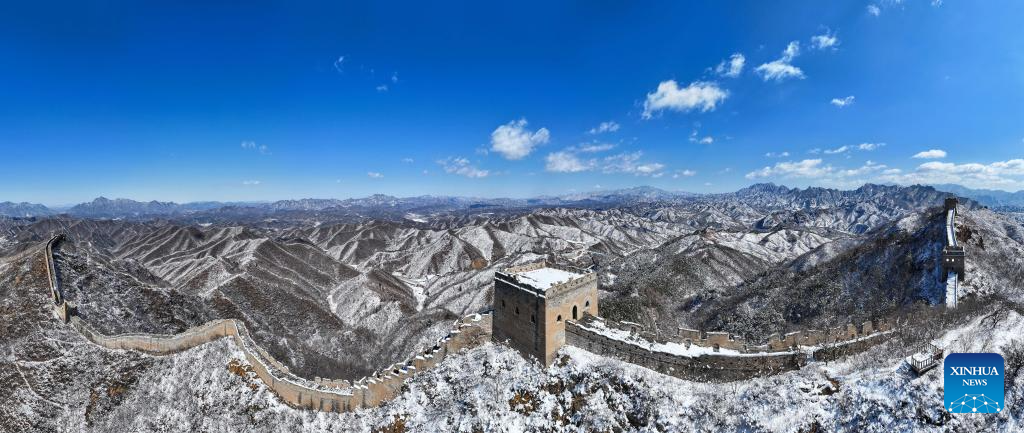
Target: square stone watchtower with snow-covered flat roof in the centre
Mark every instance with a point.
(533, 302)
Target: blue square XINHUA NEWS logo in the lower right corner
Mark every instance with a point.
(973, 383)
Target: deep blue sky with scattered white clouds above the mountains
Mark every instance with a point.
(217, 101)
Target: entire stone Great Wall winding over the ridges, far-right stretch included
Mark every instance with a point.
(691, 355)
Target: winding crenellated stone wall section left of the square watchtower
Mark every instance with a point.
(319, 394)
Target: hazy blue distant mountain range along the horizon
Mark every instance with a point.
(388, 207)
